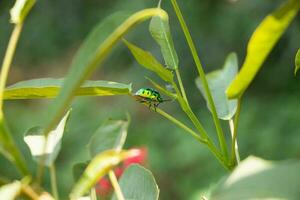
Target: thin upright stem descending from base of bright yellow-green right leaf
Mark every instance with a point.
(235, 157)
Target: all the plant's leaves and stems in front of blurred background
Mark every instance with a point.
(106, 145)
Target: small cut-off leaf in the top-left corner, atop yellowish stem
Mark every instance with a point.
(20, 10)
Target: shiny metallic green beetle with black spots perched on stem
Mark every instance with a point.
(150, 96)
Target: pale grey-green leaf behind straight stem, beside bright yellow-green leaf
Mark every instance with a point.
(218, 81)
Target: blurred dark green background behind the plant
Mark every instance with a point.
(269, 123)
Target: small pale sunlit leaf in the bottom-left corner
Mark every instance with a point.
(10, 191)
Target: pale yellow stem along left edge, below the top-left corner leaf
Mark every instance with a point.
(9, 54)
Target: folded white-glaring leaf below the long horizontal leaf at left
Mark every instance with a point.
(36, 141)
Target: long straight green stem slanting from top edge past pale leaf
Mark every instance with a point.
(190, 42)
